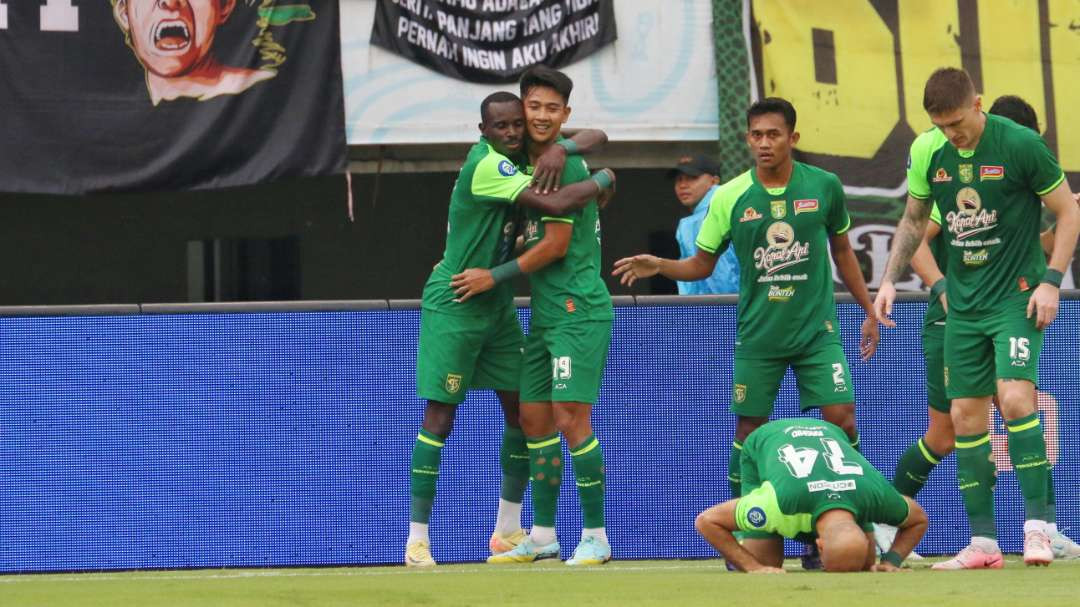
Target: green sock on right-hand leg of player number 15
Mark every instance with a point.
(1028, 449)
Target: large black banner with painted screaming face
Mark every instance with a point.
(144, 95)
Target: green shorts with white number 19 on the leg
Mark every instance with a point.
(565, 363)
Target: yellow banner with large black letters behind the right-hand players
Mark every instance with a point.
(856, 73)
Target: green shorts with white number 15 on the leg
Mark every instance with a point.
(1004, 345)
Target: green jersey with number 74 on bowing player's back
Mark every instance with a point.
(794, 470)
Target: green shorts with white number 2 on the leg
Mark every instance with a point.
(821, 373)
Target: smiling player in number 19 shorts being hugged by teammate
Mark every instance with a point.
(568, 346)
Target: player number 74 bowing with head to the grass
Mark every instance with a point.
(803, 481)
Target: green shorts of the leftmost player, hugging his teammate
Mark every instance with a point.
(462, 354)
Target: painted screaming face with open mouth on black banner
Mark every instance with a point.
(174, 39)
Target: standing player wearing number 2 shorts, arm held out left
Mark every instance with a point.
(784, 219)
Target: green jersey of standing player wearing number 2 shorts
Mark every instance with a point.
(781, 239)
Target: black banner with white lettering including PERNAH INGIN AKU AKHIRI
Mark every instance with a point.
(493, 42)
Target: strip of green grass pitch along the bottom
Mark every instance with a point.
(618, 584)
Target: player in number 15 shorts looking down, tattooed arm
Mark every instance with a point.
(988, 174)
